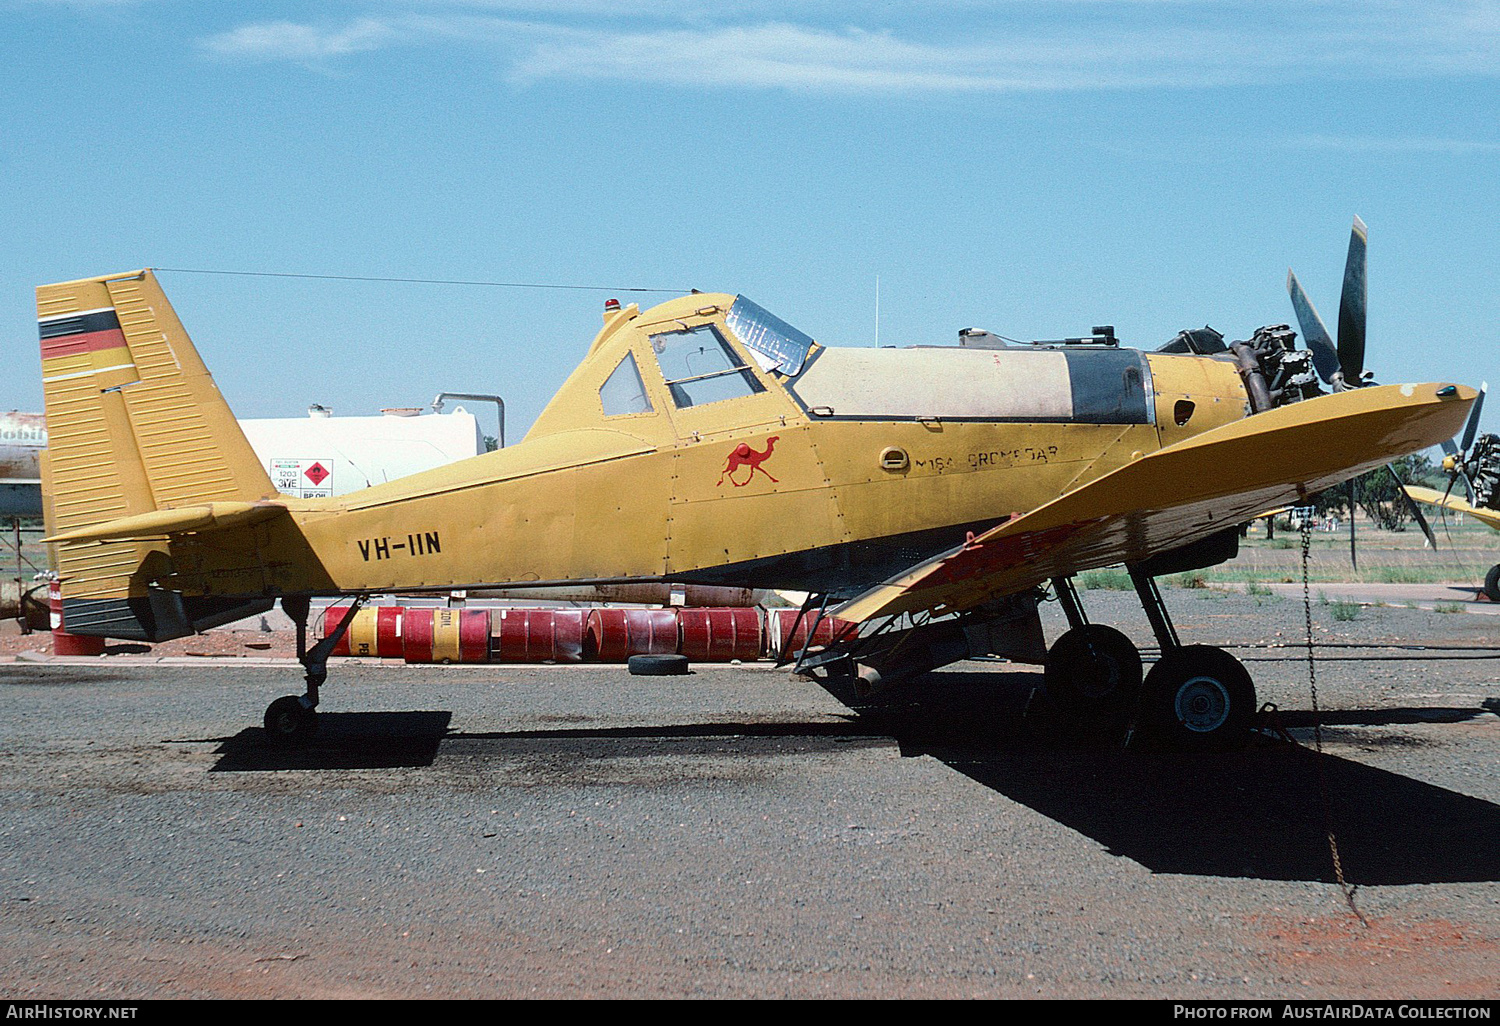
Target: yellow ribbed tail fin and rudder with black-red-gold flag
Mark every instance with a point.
(136, 425)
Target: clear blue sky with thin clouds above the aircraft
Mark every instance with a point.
(1034, 167)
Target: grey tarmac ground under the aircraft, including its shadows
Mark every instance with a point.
(572, 832)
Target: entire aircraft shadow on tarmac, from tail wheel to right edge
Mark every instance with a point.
(1255, 814)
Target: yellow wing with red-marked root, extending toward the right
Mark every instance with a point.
(1180, 494)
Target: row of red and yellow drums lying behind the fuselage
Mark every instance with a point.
(706, 635)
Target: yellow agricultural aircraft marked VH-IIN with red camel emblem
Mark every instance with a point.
(926, 496)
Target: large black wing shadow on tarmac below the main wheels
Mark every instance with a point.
(1253, 814)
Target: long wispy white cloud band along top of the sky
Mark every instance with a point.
(1012, 55)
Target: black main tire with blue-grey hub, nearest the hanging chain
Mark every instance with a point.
(1199, 700)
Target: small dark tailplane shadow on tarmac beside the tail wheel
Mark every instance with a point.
(344, 742)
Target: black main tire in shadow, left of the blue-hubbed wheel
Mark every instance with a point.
(1093, 674)
